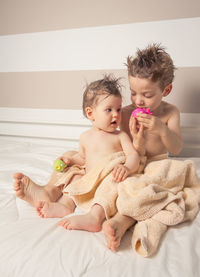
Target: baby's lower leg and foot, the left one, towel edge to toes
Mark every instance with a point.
(63, 207)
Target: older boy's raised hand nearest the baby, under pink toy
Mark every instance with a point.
(137, 132)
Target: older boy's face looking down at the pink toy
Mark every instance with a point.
(145, 93)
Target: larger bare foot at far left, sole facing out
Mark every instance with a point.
(27, 190)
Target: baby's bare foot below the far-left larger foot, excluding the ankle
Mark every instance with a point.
(52, 209)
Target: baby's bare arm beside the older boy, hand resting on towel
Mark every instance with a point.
(131, 164)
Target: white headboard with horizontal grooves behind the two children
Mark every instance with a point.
(65, 126)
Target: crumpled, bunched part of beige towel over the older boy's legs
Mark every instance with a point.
(166, 194)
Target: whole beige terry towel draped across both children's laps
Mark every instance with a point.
(166, 193)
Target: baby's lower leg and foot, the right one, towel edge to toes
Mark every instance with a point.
(91, 221)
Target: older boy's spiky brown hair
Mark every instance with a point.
(153, 63)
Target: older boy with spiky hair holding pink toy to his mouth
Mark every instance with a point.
(150, 74)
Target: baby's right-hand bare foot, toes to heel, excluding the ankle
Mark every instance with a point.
(85, 222)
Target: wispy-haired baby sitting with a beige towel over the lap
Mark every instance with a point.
(102, 104)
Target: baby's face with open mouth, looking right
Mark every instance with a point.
(106, 115)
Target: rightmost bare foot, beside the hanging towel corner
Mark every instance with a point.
(115, 228)
